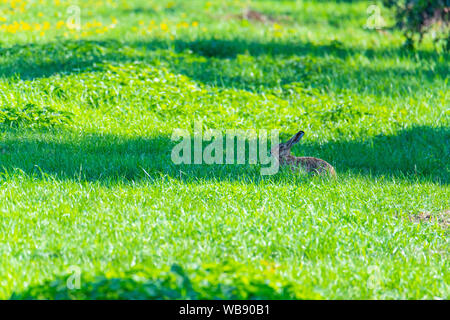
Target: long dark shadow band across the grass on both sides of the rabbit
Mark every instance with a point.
(418, 152)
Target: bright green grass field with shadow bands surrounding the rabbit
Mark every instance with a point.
(88, 188)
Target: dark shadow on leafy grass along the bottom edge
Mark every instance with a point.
(175, 284)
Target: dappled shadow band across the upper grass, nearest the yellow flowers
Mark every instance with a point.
(217, 62)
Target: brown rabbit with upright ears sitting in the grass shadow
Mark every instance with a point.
(309, 164)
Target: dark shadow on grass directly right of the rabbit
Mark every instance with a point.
(419, 151)
